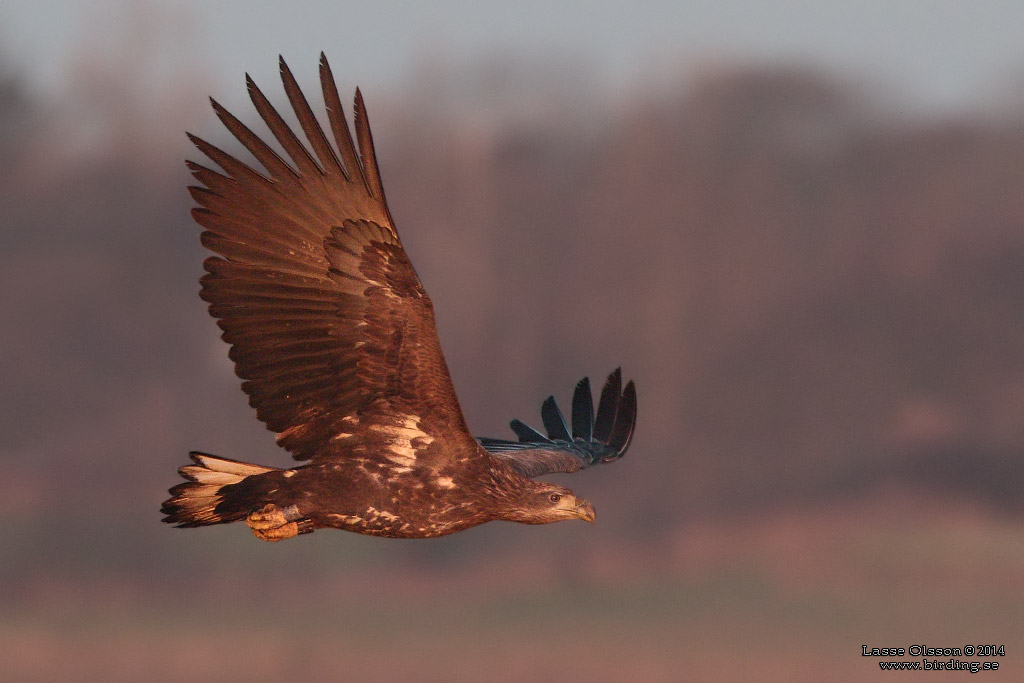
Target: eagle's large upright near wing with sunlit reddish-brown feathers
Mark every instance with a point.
(329, 325)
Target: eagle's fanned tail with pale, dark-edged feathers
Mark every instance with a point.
(211, 495)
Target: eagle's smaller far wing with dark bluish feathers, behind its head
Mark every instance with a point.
(594, 440)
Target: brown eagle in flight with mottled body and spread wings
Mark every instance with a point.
(335, 339)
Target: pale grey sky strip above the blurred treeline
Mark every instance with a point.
(944, 54)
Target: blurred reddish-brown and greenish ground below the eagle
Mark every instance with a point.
(789, 595)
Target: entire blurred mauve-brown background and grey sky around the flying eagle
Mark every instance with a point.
(799, 227)
